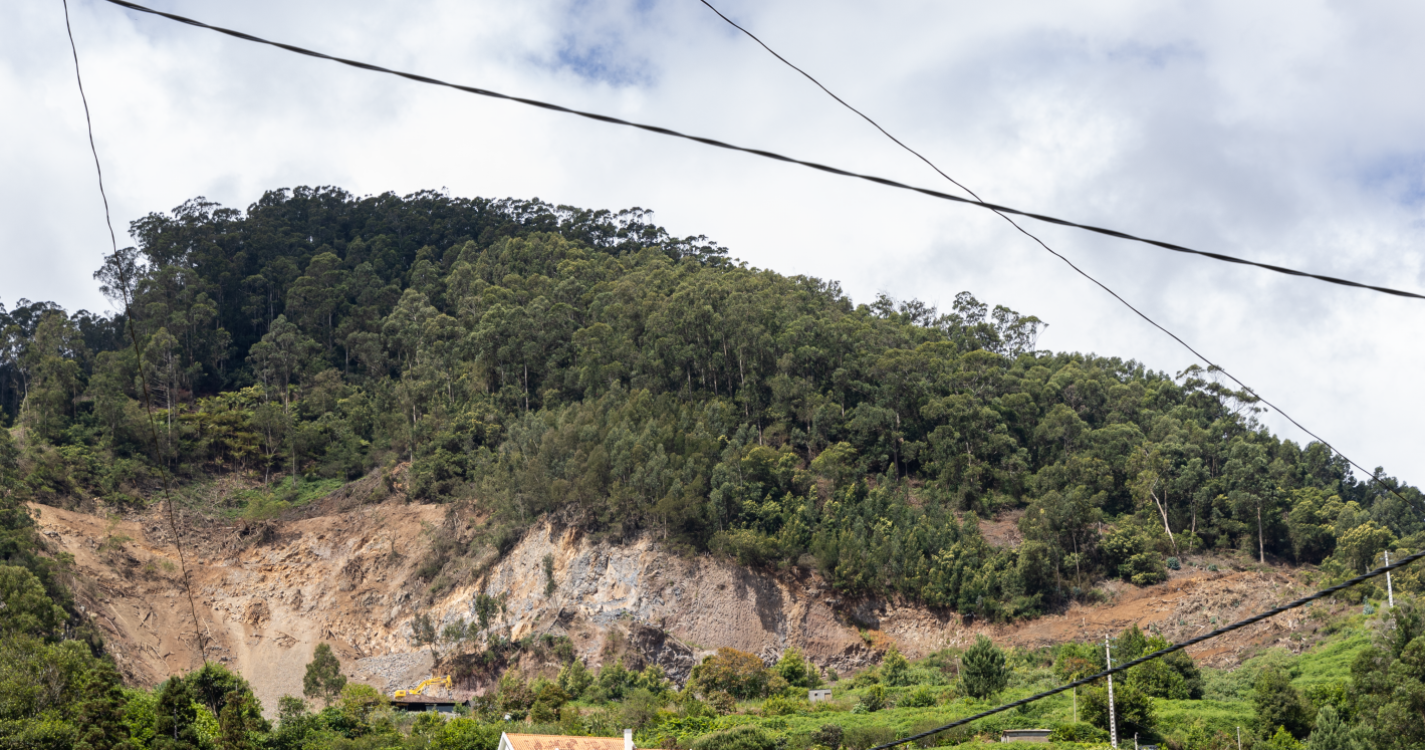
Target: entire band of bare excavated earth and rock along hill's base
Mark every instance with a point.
(347, 577)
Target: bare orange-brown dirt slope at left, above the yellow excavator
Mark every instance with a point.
(261, 607)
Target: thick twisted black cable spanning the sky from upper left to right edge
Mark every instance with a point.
(762, 153)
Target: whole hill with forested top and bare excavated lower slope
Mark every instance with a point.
(508, 420)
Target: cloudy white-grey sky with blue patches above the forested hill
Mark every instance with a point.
(1290, 133)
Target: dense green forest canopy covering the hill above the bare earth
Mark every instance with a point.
(588, 367)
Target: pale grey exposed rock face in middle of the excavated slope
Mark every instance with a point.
(702, 604)
